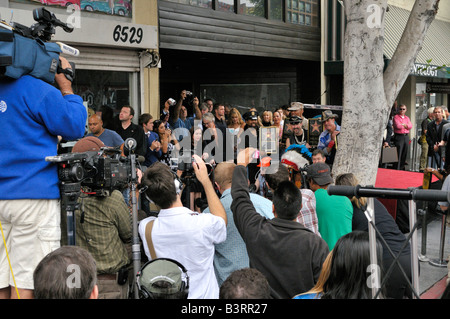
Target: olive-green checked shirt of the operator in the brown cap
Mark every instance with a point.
(105, 231)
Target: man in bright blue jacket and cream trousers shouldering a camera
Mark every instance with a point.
(33, 115)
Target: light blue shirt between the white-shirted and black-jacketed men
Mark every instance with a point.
(232, 254)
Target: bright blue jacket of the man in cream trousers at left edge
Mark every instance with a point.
(32, 114)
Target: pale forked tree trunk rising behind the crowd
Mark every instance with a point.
(368, 93)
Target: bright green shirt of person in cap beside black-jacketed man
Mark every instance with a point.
(335, 216)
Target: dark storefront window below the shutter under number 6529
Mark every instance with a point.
(104, 88)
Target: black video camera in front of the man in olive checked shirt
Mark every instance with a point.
(98, 173)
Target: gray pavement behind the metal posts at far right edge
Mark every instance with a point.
(430, 274)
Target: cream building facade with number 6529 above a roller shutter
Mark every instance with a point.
(116, 41)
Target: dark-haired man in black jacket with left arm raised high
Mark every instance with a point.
(274, 245)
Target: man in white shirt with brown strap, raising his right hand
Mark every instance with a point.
(179, 233)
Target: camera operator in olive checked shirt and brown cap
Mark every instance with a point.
(103, 227)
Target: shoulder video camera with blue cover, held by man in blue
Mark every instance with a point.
(23, 50)
